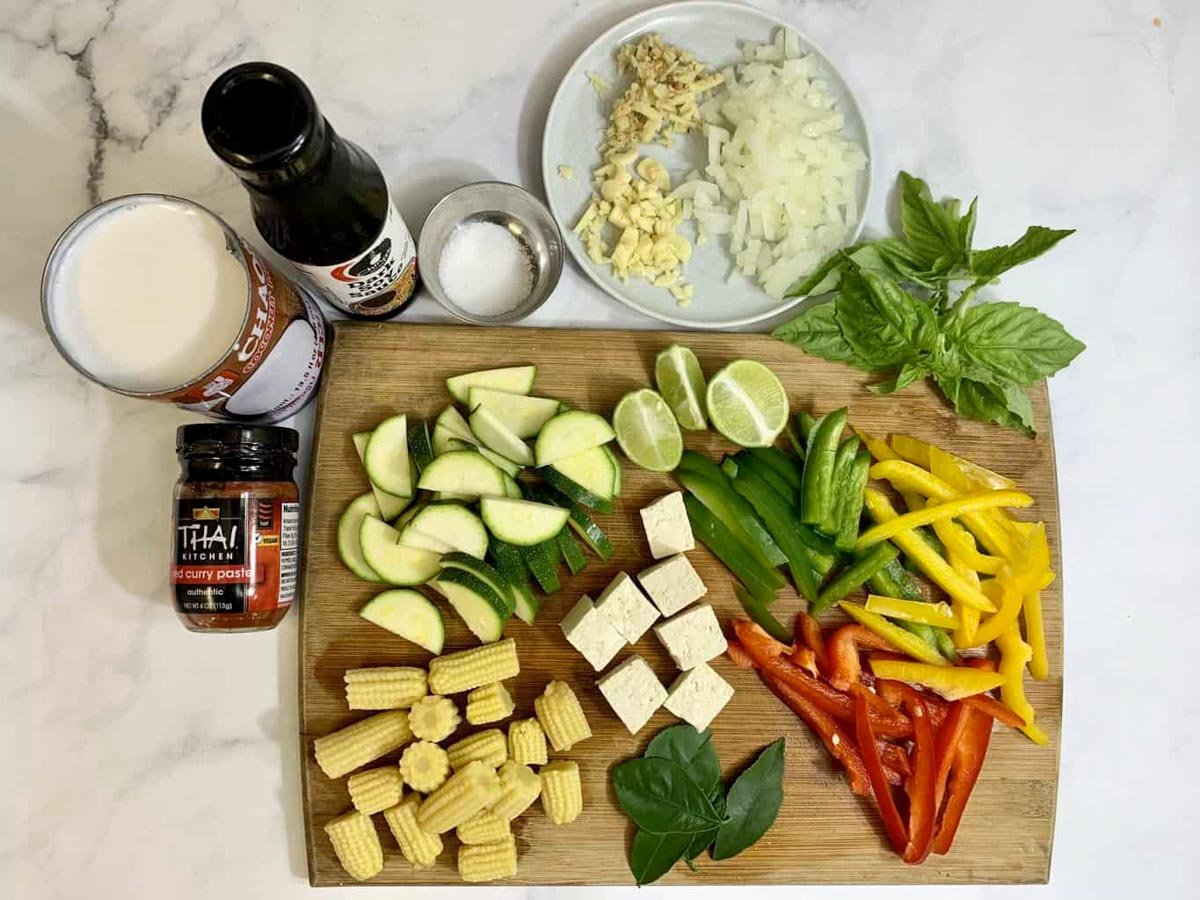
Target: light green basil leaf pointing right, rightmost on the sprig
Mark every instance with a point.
(1013, 343)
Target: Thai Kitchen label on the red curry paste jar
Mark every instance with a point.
(236, 555)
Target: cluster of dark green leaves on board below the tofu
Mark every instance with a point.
(676, 797)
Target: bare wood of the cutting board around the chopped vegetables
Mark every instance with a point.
(823, 835)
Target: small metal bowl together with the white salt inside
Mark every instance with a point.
(491, 254)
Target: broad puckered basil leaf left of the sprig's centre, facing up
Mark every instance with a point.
(883, 323)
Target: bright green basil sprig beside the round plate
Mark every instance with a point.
(903, 311)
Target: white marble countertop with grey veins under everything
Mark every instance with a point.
(140, 760)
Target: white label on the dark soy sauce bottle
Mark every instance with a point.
(379, 281)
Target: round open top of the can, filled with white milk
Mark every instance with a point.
(149, 298)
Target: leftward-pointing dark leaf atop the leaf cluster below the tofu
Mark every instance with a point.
(661, 797)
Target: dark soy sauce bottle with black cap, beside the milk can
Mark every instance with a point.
(319, 200)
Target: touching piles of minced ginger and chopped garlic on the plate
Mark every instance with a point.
(662, 103)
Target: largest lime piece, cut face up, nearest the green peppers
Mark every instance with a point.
(748, 404)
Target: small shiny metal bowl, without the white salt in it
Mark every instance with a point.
(505, 205)
